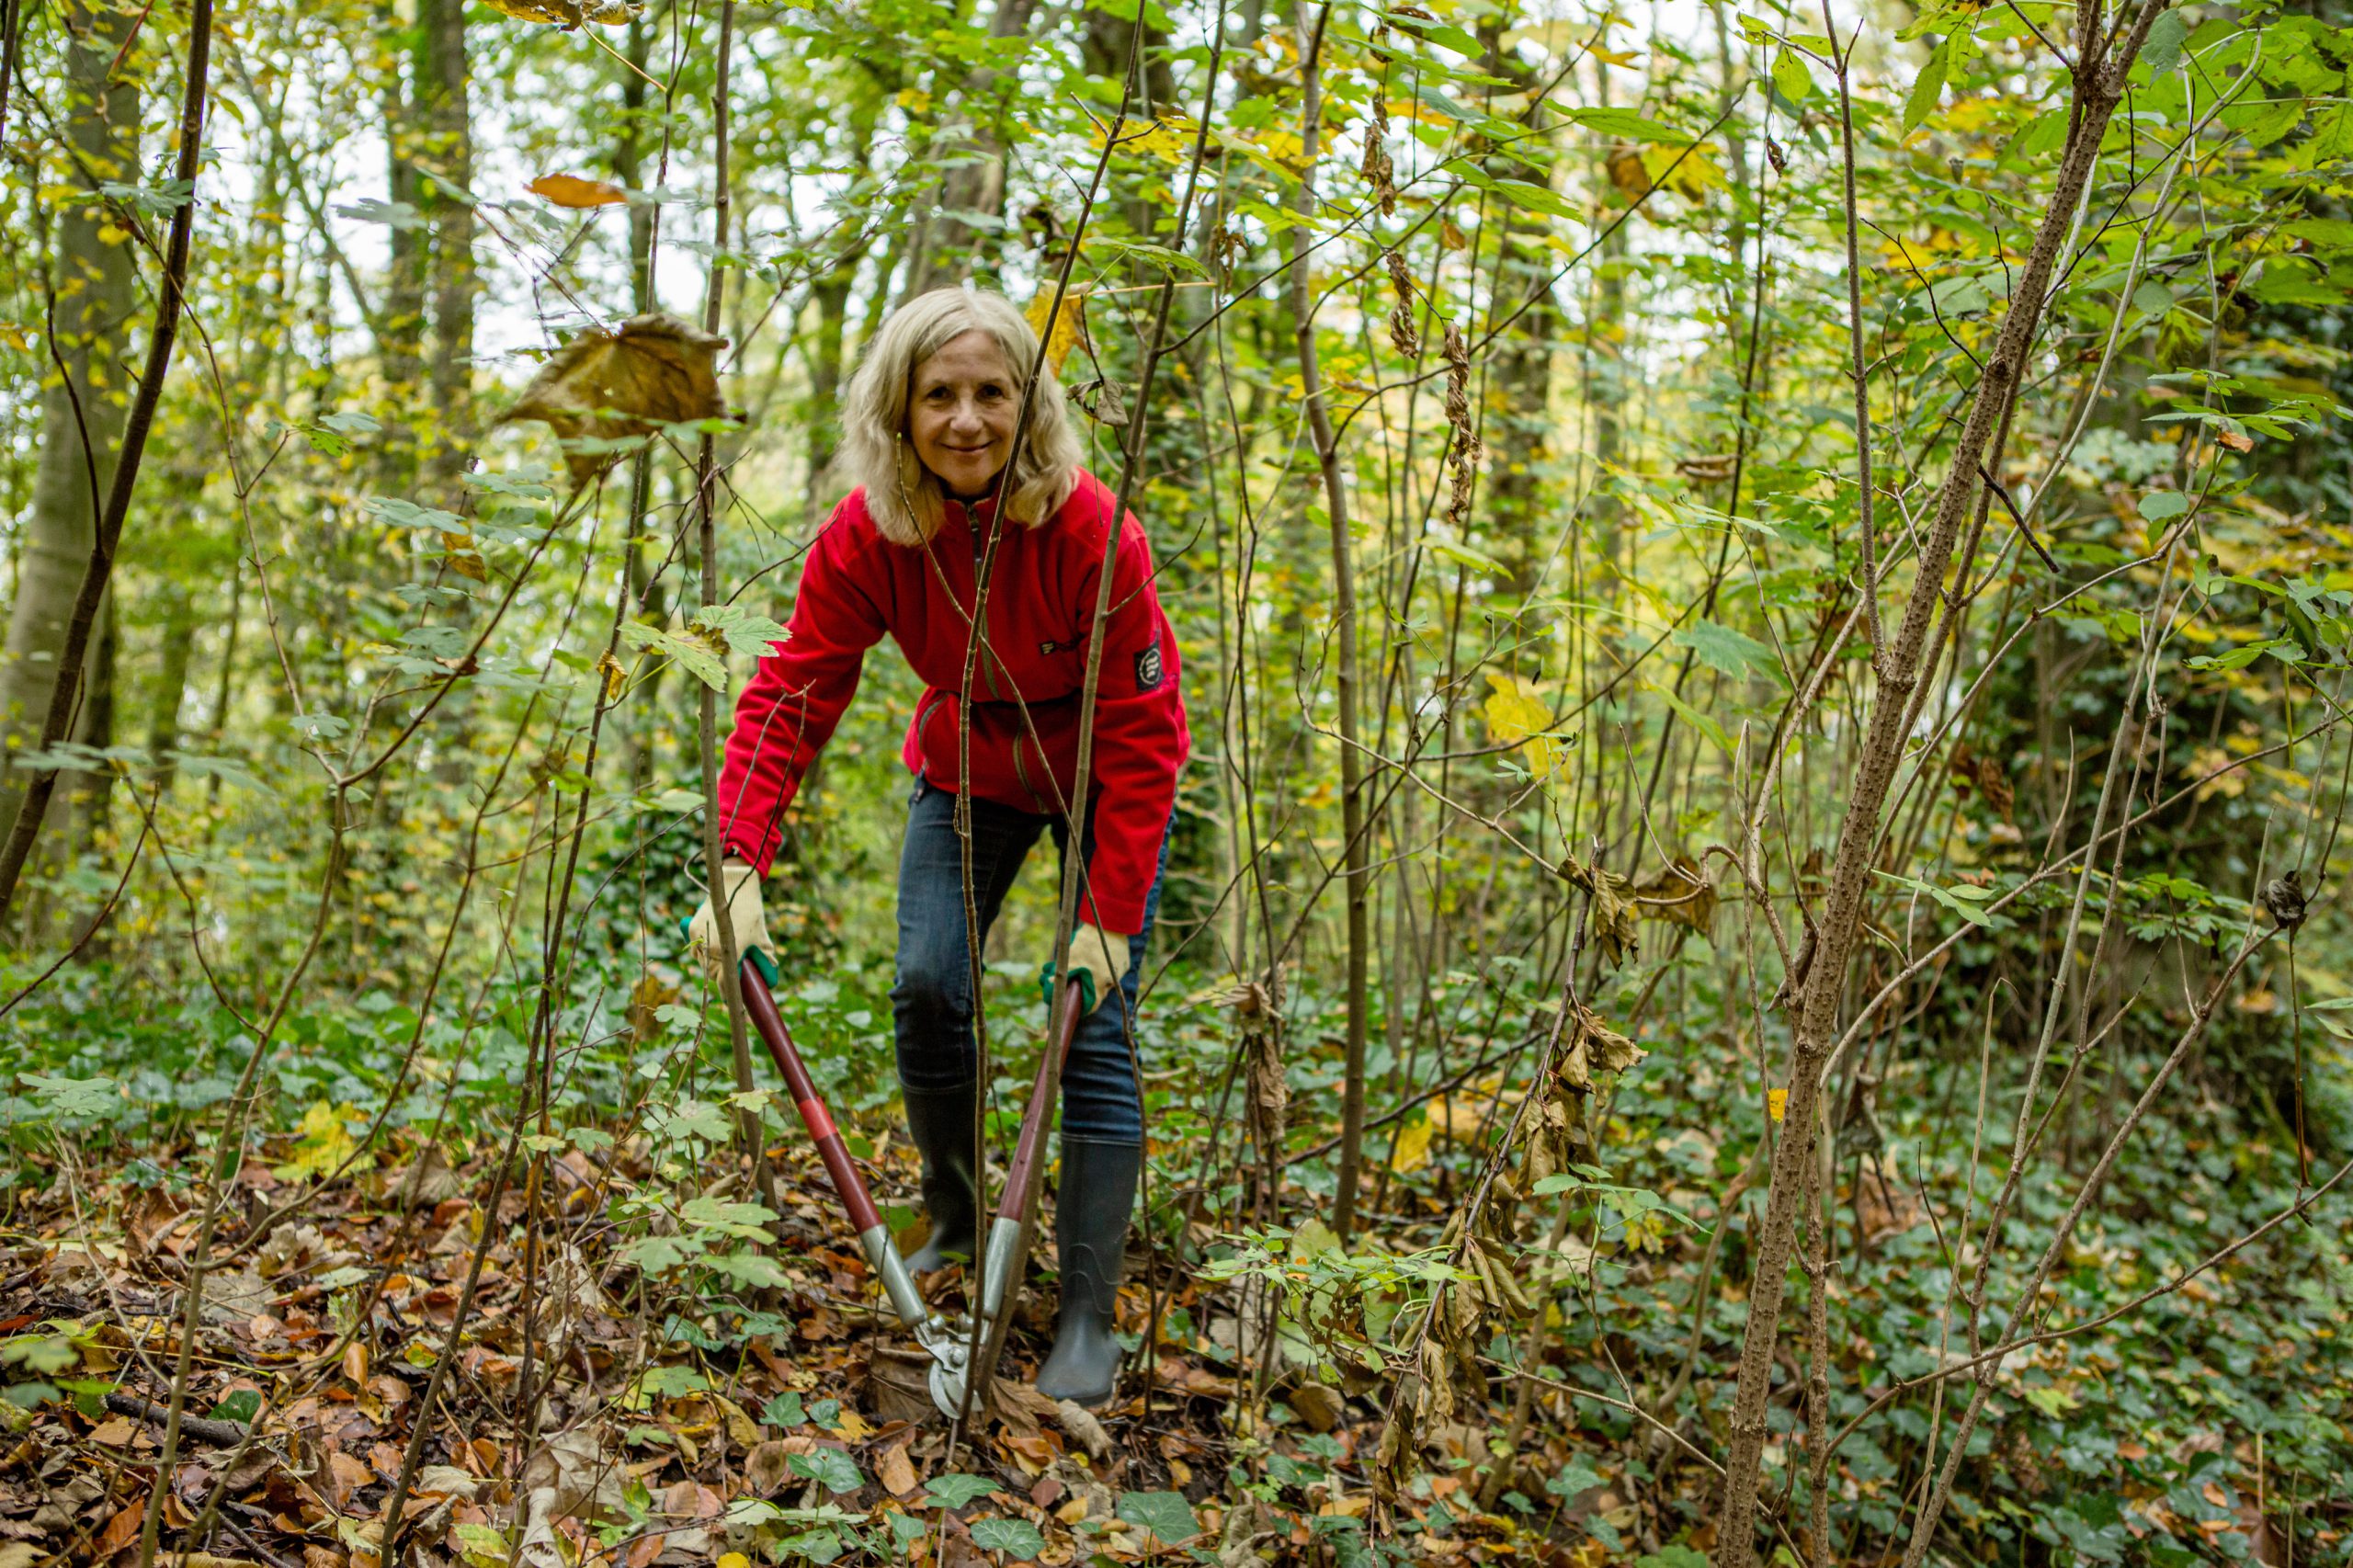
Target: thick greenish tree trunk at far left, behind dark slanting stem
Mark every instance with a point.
(95, 295)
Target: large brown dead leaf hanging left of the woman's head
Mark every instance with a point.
(634, 380)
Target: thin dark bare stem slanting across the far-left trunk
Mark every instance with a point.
(100, 566)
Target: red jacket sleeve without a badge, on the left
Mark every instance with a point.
(796, 696)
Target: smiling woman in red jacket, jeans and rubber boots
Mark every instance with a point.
(942, 479)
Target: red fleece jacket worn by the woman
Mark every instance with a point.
(1041, 606)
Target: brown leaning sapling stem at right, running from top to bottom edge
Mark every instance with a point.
(2100, 84)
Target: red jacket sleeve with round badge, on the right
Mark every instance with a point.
(1140, 740)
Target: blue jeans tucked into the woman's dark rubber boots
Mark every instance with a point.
(933, 999)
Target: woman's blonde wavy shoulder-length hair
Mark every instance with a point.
(905, 498)
